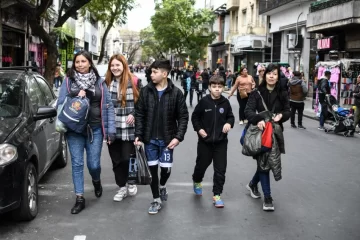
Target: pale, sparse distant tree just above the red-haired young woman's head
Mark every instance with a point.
(132, 43)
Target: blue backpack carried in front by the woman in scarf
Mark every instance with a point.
(74, 114)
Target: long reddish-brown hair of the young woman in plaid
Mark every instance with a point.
(125, 76)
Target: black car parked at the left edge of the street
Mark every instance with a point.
(29, 143)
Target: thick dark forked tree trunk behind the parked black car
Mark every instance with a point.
(38, 10)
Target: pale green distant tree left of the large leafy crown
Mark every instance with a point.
(151, 47)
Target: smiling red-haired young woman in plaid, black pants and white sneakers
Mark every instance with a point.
(124, 90)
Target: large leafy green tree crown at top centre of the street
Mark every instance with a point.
(181, 28)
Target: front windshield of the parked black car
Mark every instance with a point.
(11, 95)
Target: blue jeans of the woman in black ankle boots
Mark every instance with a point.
(77, 144)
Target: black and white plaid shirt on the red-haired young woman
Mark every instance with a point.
(124, 131)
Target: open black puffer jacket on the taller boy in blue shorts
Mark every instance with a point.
(175, 118)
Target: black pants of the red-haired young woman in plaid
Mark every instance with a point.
(120, 152)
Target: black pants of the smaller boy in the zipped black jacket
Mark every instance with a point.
(207, 153)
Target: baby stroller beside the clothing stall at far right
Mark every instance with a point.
(342, 119)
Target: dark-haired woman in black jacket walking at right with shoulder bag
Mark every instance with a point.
(277, 101)
